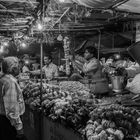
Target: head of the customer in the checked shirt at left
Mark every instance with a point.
(9, 63)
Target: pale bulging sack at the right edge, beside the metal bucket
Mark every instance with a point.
(134, 85)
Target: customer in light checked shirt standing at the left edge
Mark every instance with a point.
(11, 101)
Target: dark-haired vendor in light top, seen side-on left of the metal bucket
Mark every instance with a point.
(93, 71)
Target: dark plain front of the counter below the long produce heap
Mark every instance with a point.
(49, 130)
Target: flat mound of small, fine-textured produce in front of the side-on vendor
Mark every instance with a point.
(75, 88)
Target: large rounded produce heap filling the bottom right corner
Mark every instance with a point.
(113, 122)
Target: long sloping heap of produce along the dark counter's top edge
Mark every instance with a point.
(61, 106)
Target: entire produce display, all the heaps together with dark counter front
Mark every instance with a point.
(69, 110)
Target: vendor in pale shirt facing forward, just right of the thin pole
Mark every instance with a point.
(50, 70)
